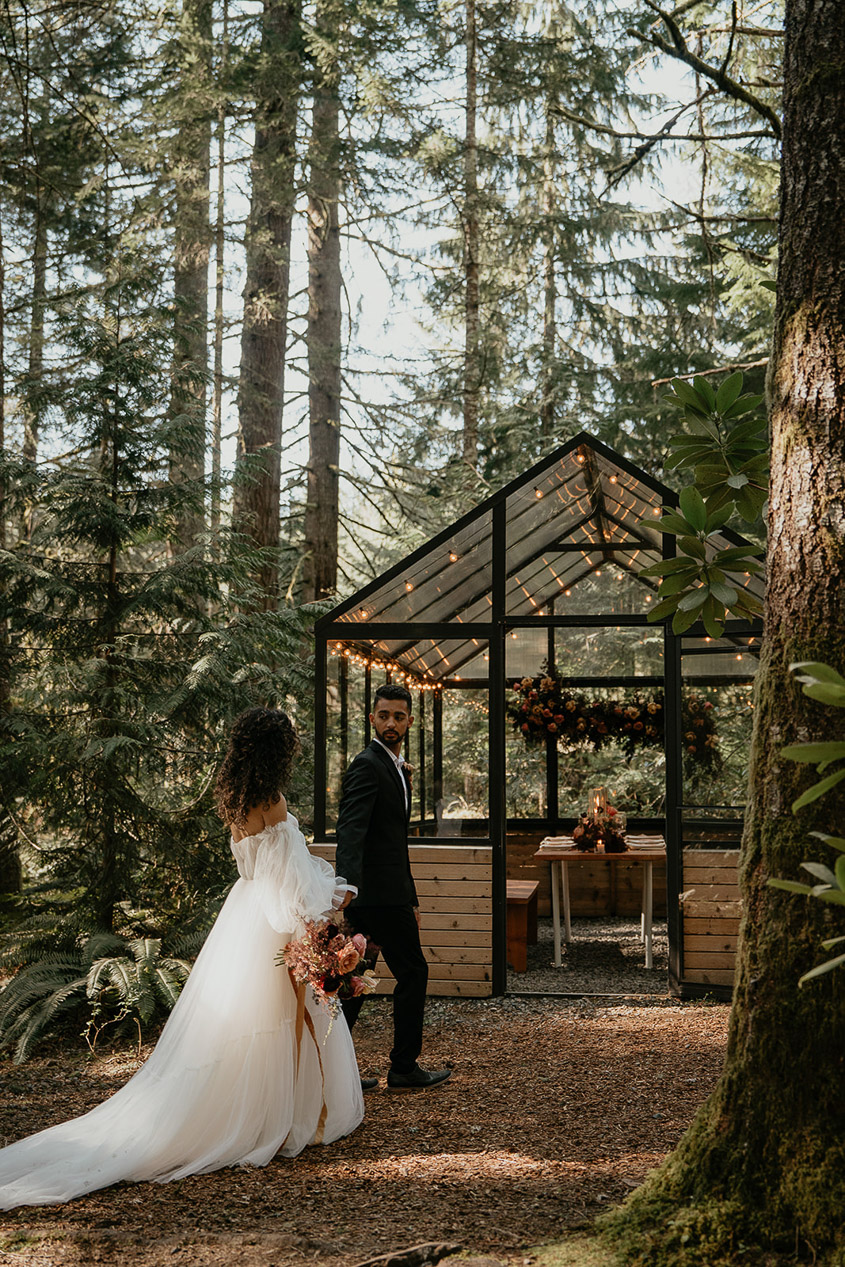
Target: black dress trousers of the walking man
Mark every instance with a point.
(396, 933)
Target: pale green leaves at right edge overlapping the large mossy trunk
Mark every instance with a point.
(823, 684)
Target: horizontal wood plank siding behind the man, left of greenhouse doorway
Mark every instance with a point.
(455, 890)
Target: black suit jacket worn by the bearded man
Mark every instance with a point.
(373, 832)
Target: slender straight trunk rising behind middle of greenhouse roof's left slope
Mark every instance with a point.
(472, 333)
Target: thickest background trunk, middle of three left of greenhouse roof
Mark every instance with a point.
(265, 297)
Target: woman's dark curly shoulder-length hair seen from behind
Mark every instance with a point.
(263, 747)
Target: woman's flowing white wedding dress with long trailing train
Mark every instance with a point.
(246, 1067)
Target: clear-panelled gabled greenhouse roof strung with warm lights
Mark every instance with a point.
(581, 507)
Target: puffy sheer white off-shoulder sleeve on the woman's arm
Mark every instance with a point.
(293, 885)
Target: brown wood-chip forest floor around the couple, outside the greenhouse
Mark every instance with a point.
(557, 1109)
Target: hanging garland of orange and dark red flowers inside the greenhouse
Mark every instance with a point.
(544, 709)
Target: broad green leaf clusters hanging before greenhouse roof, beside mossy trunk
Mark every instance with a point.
(705, 581)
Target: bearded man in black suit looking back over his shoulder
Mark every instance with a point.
(373, 857)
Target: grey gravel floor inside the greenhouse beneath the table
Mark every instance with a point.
(605, 957)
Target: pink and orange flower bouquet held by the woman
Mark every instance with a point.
(330, 962)
